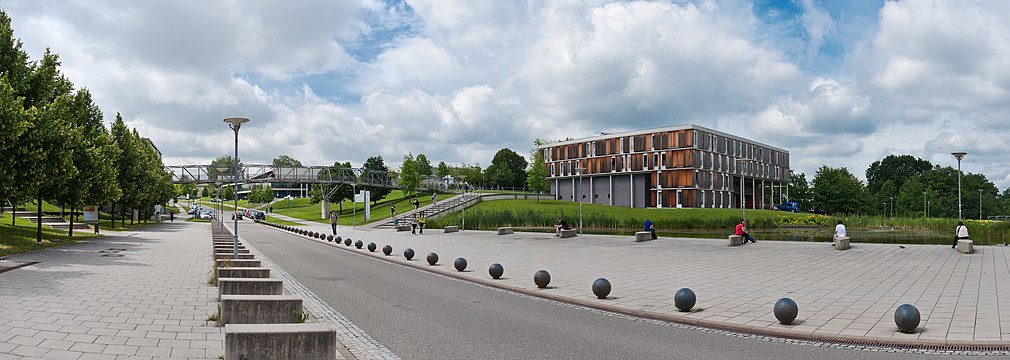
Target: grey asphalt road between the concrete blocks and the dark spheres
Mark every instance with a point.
(423, 316)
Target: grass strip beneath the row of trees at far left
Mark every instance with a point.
(22, 237)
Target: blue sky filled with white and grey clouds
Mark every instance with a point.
(838, 83)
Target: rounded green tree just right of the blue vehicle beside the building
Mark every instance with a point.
(839, 192)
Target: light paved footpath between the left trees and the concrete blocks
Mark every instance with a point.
(126, 296)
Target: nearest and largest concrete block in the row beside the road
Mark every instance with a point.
(280, 341)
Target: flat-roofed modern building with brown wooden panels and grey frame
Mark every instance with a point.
(682, 166)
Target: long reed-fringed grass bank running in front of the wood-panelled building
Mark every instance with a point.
(533, 215)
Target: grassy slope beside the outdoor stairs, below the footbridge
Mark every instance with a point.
(304, 209)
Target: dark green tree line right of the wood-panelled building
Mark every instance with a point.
(900, 186)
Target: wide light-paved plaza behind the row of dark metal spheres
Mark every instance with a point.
(845, 295)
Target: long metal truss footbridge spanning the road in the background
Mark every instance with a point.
(215, 174)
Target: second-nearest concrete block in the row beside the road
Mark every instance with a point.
(261, 309)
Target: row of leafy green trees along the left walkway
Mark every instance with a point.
(56, 147)
